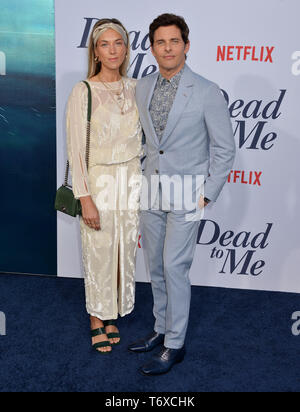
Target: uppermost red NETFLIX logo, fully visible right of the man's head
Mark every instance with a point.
(245, 53)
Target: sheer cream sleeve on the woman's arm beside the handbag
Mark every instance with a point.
(76, 121)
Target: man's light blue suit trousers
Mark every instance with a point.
(169, 243)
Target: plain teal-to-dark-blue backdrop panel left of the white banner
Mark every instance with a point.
(27, 137)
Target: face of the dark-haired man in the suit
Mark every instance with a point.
(169, 48)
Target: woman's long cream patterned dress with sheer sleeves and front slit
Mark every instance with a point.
(114, 182)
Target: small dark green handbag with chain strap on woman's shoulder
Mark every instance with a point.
(65, 201)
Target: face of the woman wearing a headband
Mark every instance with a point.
(111, 50)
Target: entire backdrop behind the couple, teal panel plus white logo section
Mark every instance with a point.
(249, 238)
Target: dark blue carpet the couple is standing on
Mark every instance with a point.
(238, 341)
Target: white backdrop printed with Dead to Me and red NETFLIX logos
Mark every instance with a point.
(249, 238)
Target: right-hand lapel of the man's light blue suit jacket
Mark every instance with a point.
(183, 95)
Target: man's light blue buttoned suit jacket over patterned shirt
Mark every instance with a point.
(198, 139)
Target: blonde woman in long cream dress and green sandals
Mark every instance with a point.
(109, 189)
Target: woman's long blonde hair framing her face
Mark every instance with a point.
(95, 67)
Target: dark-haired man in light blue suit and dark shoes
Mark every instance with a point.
(188, 132)
